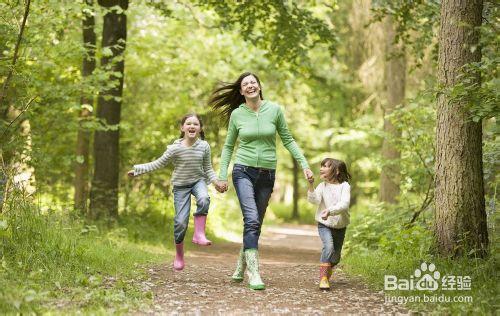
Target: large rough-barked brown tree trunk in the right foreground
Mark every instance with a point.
(460, 223)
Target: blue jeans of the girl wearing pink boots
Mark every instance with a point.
(182, 205)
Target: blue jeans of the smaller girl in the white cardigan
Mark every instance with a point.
(332, 239)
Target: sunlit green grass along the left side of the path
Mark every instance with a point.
(51, 263)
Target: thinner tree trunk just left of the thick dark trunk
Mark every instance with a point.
(87, 103)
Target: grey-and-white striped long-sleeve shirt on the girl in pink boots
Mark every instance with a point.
(191, 164)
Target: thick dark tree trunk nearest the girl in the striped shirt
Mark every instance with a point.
(104, 192)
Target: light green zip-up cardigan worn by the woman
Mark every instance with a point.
(257, 134)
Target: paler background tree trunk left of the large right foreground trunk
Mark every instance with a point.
(395, 83)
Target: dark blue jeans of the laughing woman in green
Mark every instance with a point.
(253, 187)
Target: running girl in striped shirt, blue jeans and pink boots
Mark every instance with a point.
(191, 158)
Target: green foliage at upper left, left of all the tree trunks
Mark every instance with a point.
(47, 70)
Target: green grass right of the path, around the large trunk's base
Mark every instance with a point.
(378, 245)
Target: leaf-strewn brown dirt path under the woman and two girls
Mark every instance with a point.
(289, 267)
